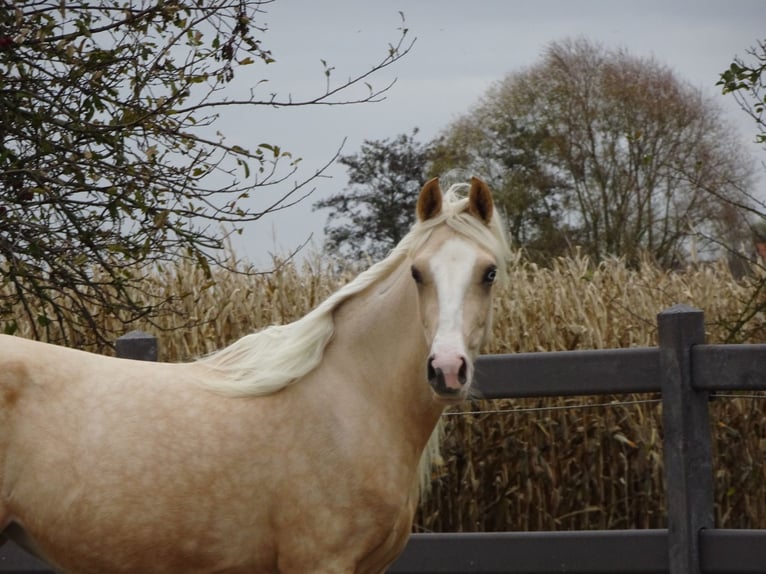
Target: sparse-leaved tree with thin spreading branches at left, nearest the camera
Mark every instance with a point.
(109, 160)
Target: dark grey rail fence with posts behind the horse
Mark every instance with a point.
(685, 371)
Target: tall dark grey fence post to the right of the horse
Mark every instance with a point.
(686, 443)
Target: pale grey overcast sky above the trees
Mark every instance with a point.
(461, 49)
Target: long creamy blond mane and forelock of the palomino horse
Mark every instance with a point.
(267, 361)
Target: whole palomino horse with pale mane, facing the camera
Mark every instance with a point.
(299, 448)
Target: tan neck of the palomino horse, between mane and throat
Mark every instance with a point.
(380, 335)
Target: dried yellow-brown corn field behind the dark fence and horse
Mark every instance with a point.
(535, 464)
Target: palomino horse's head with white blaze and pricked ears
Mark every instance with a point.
(455, 270)
